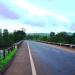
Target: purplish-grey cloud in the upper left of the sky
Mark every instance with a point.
(7, 12)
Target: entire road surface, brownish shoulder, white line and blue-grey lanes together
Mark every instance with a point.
(35, 58)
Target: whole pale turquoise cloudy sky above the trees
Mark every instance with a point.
(38, 16)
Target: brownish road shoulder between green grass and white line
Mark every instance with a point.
(21, 63)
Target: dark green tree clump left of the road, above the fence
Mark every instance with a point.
(7, 38)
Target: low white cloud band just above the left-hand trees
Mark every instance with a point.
(13, 25)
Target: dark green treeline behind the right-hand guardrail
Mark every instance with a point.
(62, 37)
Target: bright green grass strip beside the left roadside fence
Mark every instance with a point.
(4, 62)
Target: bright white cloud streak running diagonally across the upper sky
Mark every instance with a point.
(34, 11)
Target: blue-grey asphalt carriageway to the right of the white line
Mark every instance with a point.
(49, 60)
